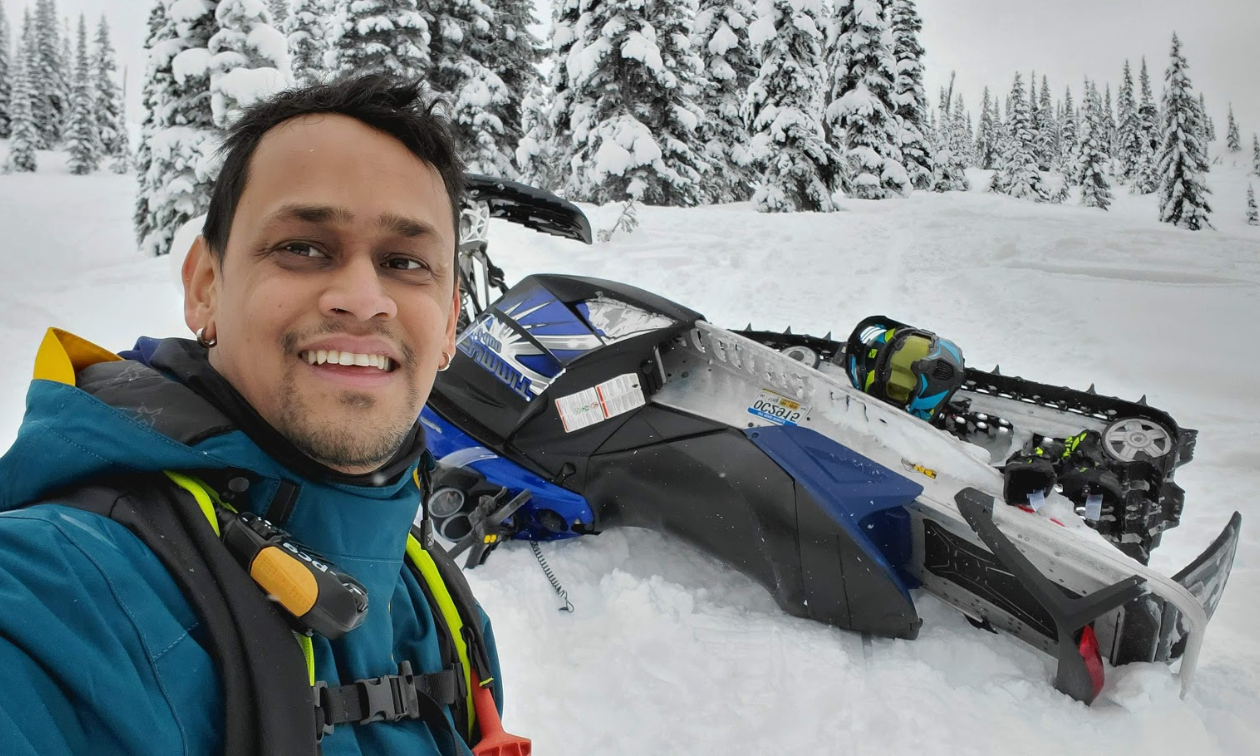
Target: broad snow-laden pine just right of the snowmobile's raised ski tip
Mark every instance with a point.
(634, 119)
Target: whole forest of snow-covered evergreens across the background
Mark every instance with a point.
(793, 105)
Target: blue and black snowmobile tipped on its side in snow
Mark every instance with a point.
(578, 405)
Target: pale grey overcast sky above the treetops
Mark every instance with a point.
(985, 41)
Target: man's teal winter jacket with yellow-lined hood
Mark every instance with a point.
(100, 652)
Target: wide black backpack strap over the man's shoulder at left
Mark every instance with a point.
(261, 670)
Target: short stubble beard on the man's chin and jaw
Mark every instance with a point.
(352, 439)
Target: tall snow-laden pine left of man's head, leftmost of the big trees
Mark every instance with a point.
(178, 135)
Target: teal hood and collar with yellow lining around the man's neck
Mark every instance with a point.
(91, 414)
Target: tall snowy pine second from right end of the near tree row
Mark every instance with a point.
(861, 117)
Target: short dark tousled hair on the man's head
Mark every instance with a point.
(405, 112)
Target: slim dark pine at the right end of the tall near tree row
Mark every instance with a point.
(909, 96)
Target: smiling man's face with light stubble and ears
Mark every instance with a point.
(337, 297)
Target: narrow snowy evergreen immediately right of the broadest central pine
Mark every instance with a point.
(729, 64)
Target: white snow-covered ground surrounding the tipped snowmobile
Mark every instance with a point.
(670, 652)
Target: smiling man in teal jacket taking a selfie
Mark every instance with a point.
(323, 294)
